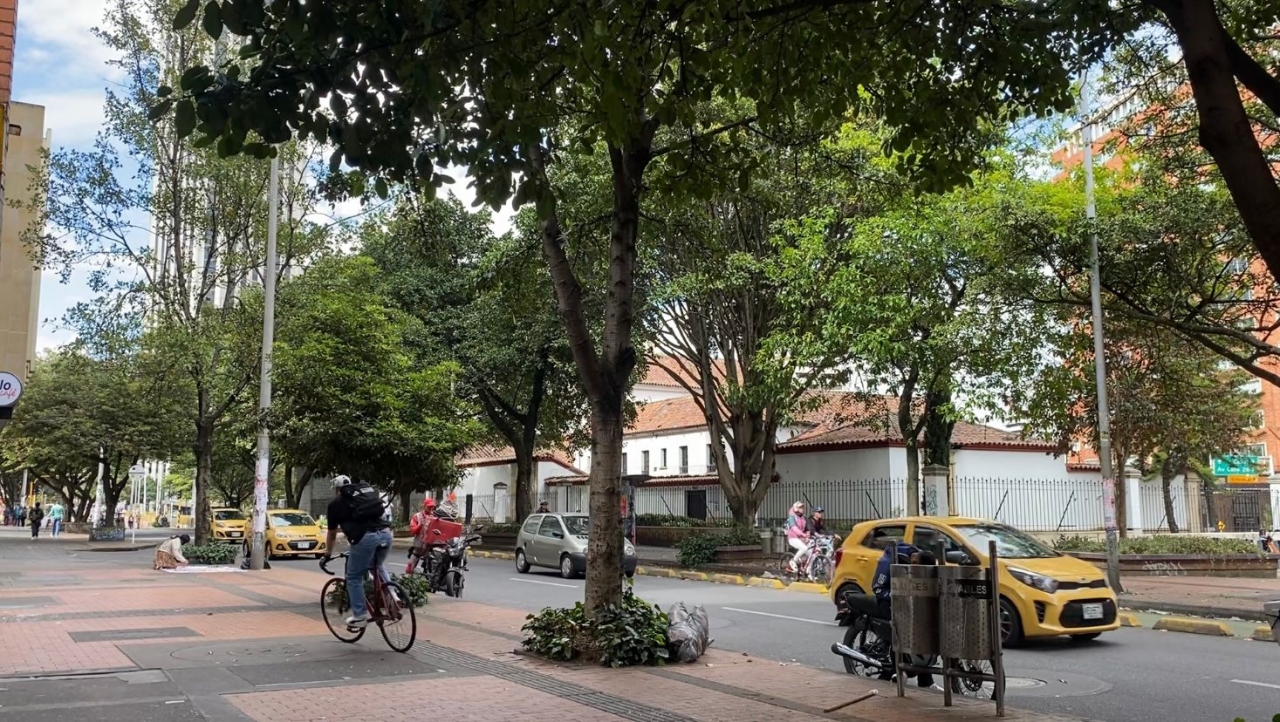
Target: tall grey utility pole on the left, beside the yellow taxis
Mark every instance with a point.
(262, 478)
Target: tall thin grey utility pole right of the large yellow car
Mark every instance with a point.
(1100, 363)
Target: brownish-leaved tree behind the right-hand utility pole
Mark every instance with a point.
(1171, 404)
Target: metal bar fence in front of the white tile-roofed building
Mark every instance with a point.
(1034, 505)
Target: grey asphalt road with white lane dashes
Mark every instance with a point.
(1133, 675)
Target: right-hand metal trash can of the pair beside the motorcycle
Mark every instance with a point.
(964, 598)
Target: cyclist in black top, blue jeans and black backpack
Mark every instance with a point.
(358, 510)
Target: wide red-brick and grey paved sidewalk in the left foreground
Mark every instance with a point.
(136, 645)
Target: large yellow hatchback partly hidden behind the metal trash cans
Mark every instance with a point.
(1043, 593)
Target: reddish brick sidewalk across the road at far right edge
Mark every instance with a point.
(1203, 596)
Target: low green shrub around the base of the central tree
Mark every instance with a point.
(624, 636)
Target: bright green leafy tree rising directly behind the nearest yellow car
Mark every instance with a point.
(924, 307)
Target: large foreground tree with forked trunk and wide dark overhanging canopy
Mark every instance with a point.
(513, 89)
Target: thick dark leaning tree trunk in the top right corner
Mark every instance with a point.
(1226, 131)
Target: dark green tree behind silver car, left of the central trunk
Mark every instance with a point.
(487, 304)
